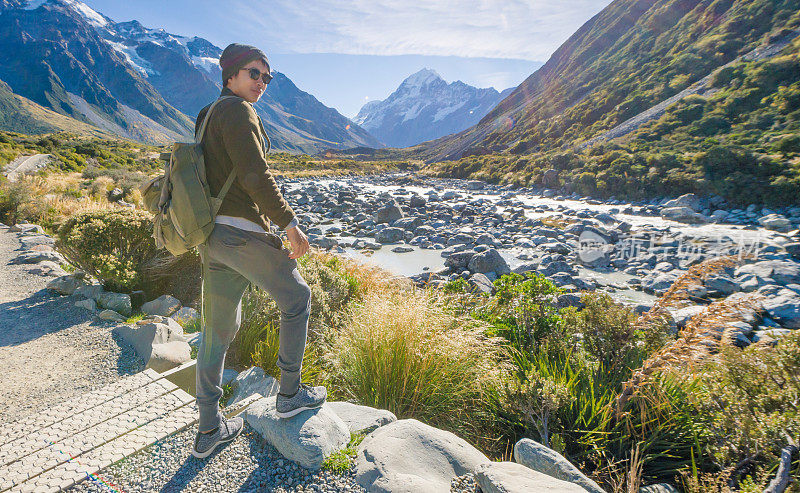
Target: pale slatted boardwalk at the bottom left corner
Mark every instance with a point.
(54, 449)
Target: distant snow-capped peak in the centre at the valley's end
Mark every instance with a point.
(425, 107)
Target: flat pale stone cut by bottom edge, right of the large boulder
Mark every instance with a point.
(510, 477)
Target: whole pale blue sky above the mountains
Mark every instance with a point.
(348, 52)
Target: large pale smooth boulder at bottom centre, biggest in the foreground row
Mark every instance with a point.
(408, 456)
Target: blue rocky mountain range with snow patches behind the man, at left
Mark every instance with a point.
(141, 83)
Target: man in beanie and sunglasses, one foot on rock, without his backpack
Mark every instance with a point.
(241, 249)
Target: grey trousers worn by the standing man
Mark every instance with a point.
(232, 259)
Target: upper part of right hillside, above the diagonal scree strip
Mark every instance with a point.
(632, 55)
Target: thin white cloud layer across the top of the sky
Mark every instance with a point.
(527, 29)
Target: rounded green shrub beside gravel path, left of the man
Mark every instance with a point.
(112, 245)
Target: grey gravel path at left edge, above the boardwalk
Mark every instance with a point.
(50, 351)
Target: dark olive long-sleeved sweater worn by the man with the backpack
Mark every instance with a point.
(233, 140)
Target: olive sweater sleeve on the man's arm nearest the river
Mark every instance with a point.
(241, 134)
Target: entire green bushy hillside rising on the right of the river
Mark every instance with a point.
(741, 133)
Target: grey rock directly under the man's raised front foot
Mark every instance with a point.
(306, 438)
